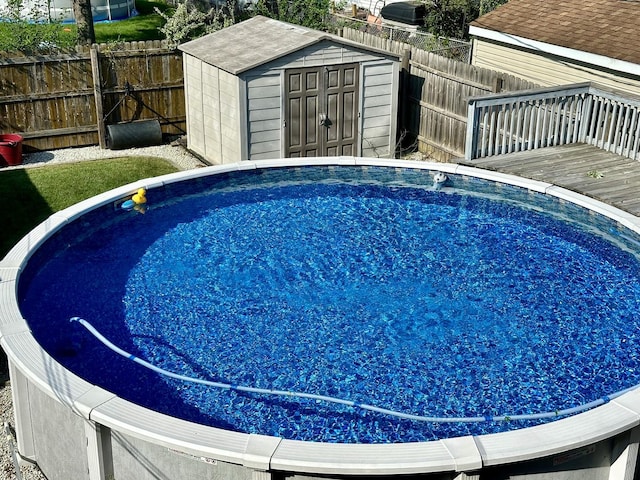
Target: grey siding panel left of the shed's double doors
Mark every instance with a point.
(264, 115)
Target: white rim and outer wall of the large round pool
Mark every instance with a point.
(73, 429)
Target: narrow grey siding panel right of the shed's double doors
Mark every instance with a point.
(379, 94)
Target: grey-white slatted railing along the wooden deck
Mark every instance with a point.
(531, 119)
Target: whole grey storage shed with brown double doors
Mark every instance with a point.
(264, 89)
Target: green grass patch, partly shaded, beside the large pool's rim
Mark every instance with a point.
(28, 196)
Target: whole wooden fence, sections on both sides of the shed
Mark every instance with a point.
(61, 101)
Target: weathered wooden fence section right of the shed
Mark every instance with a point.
(435, 94)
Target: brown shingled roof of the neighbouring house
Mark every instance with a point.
(603, 27)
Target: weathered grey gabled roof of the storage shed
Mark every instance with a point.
(257, 41)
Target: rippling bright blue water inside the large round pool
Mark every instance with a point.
(365, 284)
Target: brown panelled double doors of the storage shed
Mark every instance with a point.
(321, 111)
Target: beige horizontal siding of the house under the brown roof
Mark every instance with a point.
(545, 69)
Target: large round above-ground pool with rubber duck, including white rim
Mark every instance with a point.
(326, 318)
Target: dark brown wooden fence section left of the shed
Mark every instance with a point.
(66, 100)
